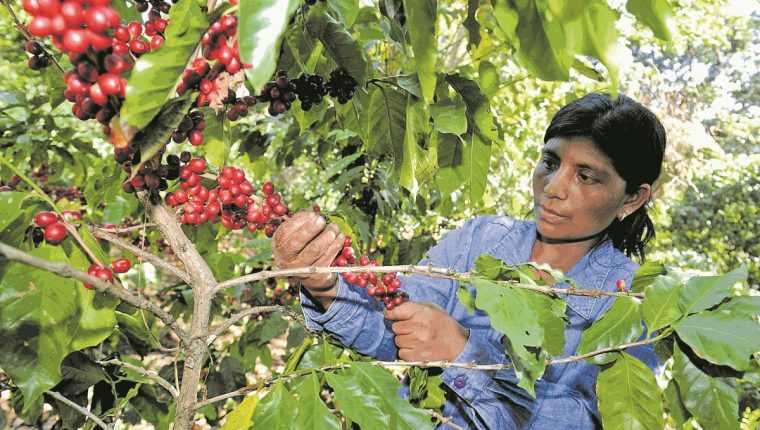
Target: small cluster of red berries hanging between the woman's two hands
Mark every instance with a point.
(386, 288)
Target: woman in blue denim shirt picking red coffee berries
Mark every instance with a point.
(590, 189)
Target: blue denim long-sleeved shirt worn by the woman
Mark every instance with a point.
(565, 395)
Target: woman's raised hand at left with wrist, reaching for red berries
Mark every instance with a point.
(306, 240)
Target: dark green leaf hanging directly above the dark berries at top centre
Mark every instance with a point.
(344, 50)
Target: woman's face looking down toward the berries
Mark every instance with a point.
(576, 191)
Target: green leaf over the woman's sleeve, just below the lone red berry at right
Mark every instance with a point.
(620, 324)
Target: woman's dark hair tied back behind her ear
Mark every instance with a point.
(633, 138)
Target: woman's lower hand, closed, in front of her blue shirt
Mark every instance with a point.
(425, 332)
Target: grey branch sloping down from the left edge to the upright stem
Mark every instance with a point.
(67, 271)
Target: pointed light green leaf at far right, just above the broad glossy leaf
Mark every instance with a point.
(703, 292)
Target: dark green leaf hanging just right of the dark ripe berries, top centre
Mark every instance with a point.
(386, 124)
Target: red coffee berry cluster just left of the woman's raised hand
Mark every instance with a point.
(232, 200)
